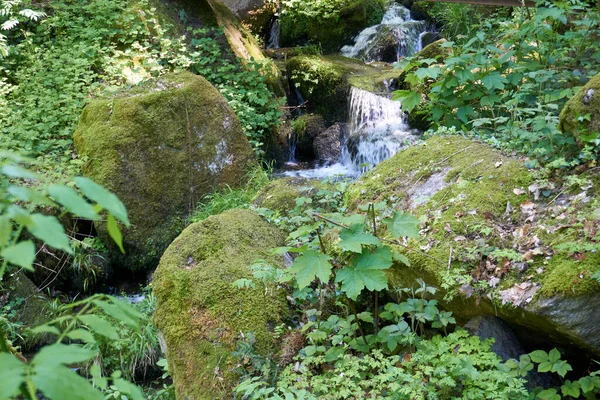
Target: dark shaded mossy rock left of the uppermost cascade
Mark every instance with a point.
(330, 32)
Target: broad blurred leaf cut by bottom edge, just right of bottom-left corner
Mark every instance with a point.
(58, 382)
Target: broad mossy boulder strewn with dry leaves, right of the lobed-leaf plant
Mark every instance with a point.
(488, 241)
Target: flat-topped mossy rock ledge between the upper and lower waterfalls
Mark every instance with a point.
(325, 82)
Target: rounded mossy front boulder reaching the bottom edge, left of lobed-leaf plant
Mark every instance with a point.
(199, 312)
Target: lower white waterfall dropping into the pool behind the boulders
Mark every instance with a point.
(378, 130)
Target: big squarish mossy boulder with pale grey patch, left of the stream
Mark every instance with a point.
(160, 147)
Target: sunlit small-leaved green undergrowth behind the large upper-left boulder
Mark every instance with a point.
(88, 48)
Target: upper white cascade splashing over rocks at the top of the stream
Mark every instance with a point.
(396, 36)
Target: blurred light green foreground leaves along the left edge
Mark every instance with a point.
(85, 321)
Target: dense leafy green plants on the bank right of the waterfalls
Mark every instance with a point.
(508, 82)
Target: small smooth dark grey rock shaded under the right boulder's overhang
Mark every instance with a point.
(506, 344)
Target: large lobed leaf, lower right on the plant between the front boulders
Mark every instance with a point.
(366, 270)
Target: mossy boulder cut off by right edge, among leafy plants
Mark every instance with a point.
(585, 103)
